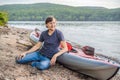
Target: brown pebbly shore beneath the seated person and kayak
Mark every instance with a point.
(9, 70)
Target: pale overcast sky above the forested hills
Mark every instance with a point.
(99, 3)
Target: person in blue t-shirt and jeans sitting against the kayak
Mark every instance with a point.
(47, 55)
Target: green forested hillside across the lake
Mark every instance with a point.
(38, 12)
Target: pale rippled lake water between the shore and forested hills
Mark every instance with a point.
(103, 36)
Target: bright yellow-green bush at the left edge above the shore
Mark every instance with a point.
(3, 18)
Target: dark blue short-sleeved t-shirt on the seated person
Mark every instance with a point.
(51, 42)
